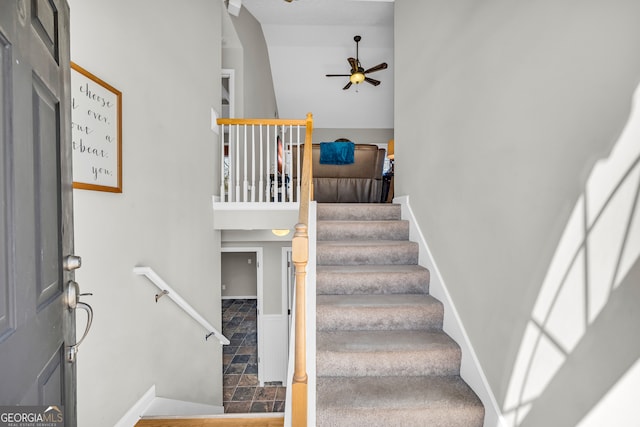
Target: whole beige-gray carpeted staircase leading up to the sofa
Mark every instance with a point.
(382, 357)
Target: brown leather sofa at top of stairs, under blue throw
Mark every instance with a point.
(359, 182)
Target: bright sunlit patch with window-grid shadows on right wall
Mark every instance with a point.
(599, 245)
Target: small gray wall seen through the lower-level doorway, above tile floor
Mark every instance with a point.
(238, 274)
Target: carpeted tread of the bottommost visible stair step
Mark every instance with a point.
(404, 392)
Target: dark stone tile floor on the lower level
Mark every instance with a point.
(242, 391)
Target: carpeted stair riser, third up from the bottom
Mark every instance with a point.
(330, 318)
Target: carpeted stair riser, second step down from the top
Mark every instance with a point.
(349, 230)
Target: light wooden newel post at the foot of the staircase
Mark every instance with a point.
(300, 256)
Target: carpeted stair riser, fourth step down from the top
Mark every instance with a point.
(328, 283)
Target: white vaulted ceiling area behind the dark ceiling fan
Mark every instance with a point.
(310, 38)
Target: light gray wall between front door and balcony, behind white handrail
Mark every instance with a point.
(165, 58)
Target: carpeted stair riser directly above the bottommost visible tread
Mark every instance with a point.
(413, 363)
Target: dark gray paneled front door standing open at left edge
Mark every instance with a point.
(36, 229)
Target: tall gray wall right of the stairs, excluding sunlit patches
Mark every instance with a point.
(500, 115)
